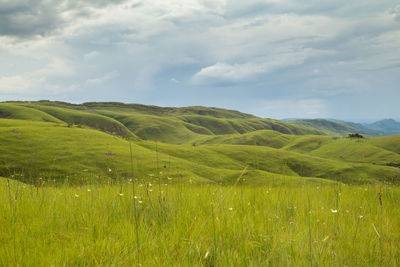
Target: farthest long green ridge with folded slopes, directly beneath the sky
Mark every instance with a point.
(163, 124)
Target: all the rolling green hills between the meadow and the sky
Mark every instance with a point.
(91, 142)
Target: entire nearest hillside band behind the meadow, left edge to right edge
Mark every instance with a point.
(54, 151)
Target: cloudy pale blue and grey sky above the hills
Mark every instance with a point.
(275, 58)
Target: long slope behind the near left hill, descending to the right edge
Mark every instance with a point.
(280, 162)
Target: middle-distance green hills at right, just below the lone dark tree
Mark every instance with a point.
(377, 151)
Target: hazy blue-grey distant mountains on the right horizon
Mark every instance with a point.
(342, 128)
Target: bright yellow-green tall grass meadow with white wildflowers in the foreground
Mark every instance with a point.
(325, 224)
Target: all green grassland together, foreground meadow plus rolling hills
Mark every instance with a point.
(213, 187)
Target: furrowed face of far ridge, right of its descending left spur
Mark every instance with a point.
(198, 120)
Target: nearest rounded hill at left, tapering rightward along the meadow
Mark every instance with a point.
(33, 150)
